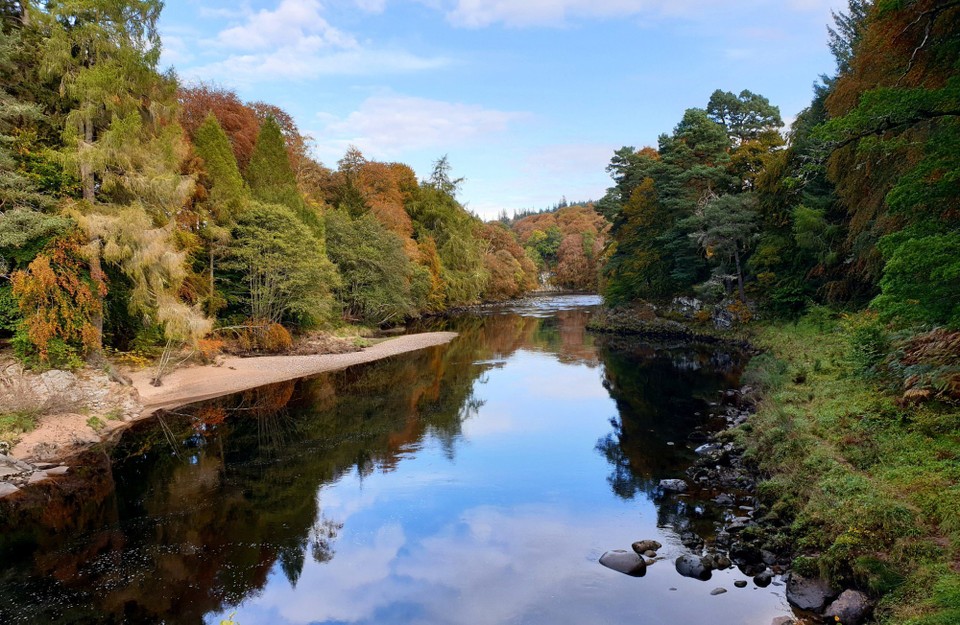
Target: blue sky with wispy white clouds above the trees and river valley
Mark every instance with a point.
(529, 98)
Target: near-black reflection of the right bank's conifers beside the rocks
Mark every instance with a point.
(658, 389)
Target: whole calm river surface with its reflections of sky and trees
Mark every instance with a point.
(468, 484)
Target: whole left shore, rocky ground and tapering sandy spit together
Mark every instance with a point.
(59, 436)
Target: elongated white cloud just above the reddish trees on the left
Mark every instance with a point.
(386, 126)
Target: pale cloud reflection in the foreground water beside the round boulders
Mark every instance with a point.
(530, 565)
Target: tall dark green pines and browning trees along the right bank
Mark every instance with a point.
(856, 205)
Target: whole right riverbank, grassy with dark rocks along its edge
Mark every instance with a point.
(856, 472)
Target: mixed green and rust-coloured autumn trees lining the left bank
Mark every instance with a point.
(136, 212)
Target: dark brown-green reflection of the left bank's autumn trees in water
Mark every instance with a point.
(199, 530)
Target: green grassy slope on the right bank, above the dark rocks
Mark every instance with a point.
(865, 487)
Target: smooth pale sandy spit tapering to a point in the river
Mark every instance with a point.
(192, 384)
